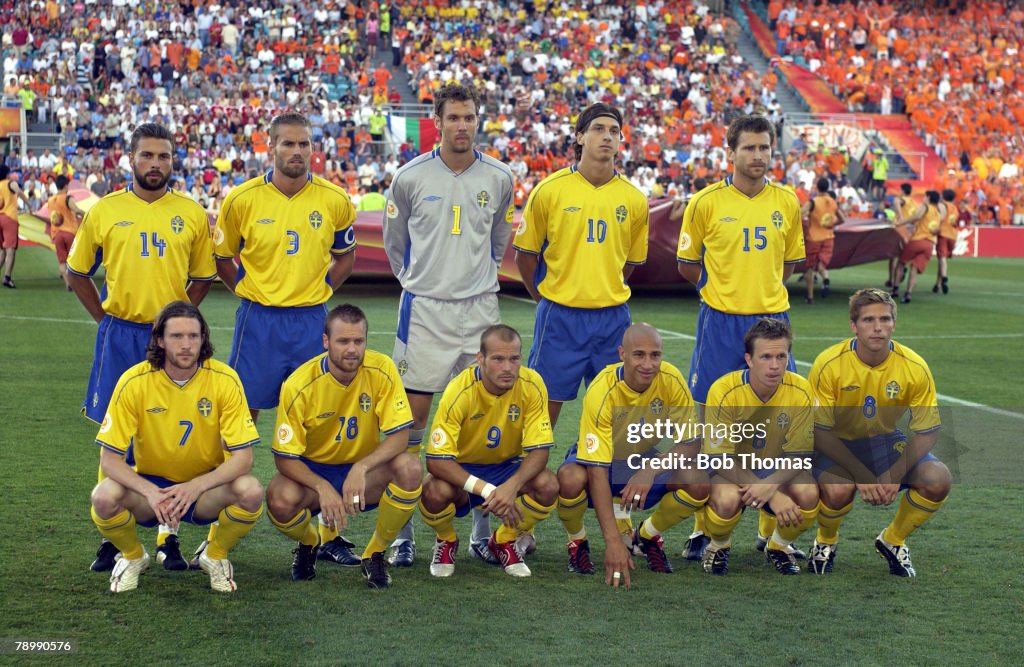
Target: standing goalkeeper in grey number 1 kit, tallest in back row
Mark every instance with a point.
(447, 226)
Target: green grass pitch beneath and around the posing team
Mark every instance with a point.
(964, 607)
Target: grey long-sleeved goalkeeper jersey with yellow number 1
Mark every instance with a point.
(445, 234)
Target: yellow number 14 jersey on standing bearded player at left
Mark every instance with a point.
(150, 252)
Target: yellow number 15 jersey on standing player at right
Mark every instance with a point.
(743, 244)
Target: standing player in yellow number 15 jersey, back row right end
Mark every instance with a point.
(741, 240)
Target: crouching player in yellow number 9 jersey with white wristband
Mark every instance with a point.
(489, 448)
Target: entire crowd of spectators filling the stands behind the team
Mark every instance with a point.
(216, 73)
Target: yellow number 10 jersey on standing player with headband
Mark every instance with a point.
(585, 236)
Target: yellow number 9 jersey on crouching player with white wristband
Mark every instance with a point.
(473, 426)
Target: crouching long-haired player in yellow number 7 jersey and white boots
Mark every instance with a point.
(182, 409)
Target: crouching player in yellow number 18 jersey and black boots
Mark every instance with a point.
(328, 449)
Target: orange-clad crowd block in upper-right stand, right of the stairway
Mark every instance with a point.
(950, 67)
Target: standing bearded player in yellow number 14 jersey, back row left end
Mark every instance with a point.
(155, 246)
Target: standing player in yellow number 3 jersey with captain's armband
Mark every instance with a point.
(294, 237)
